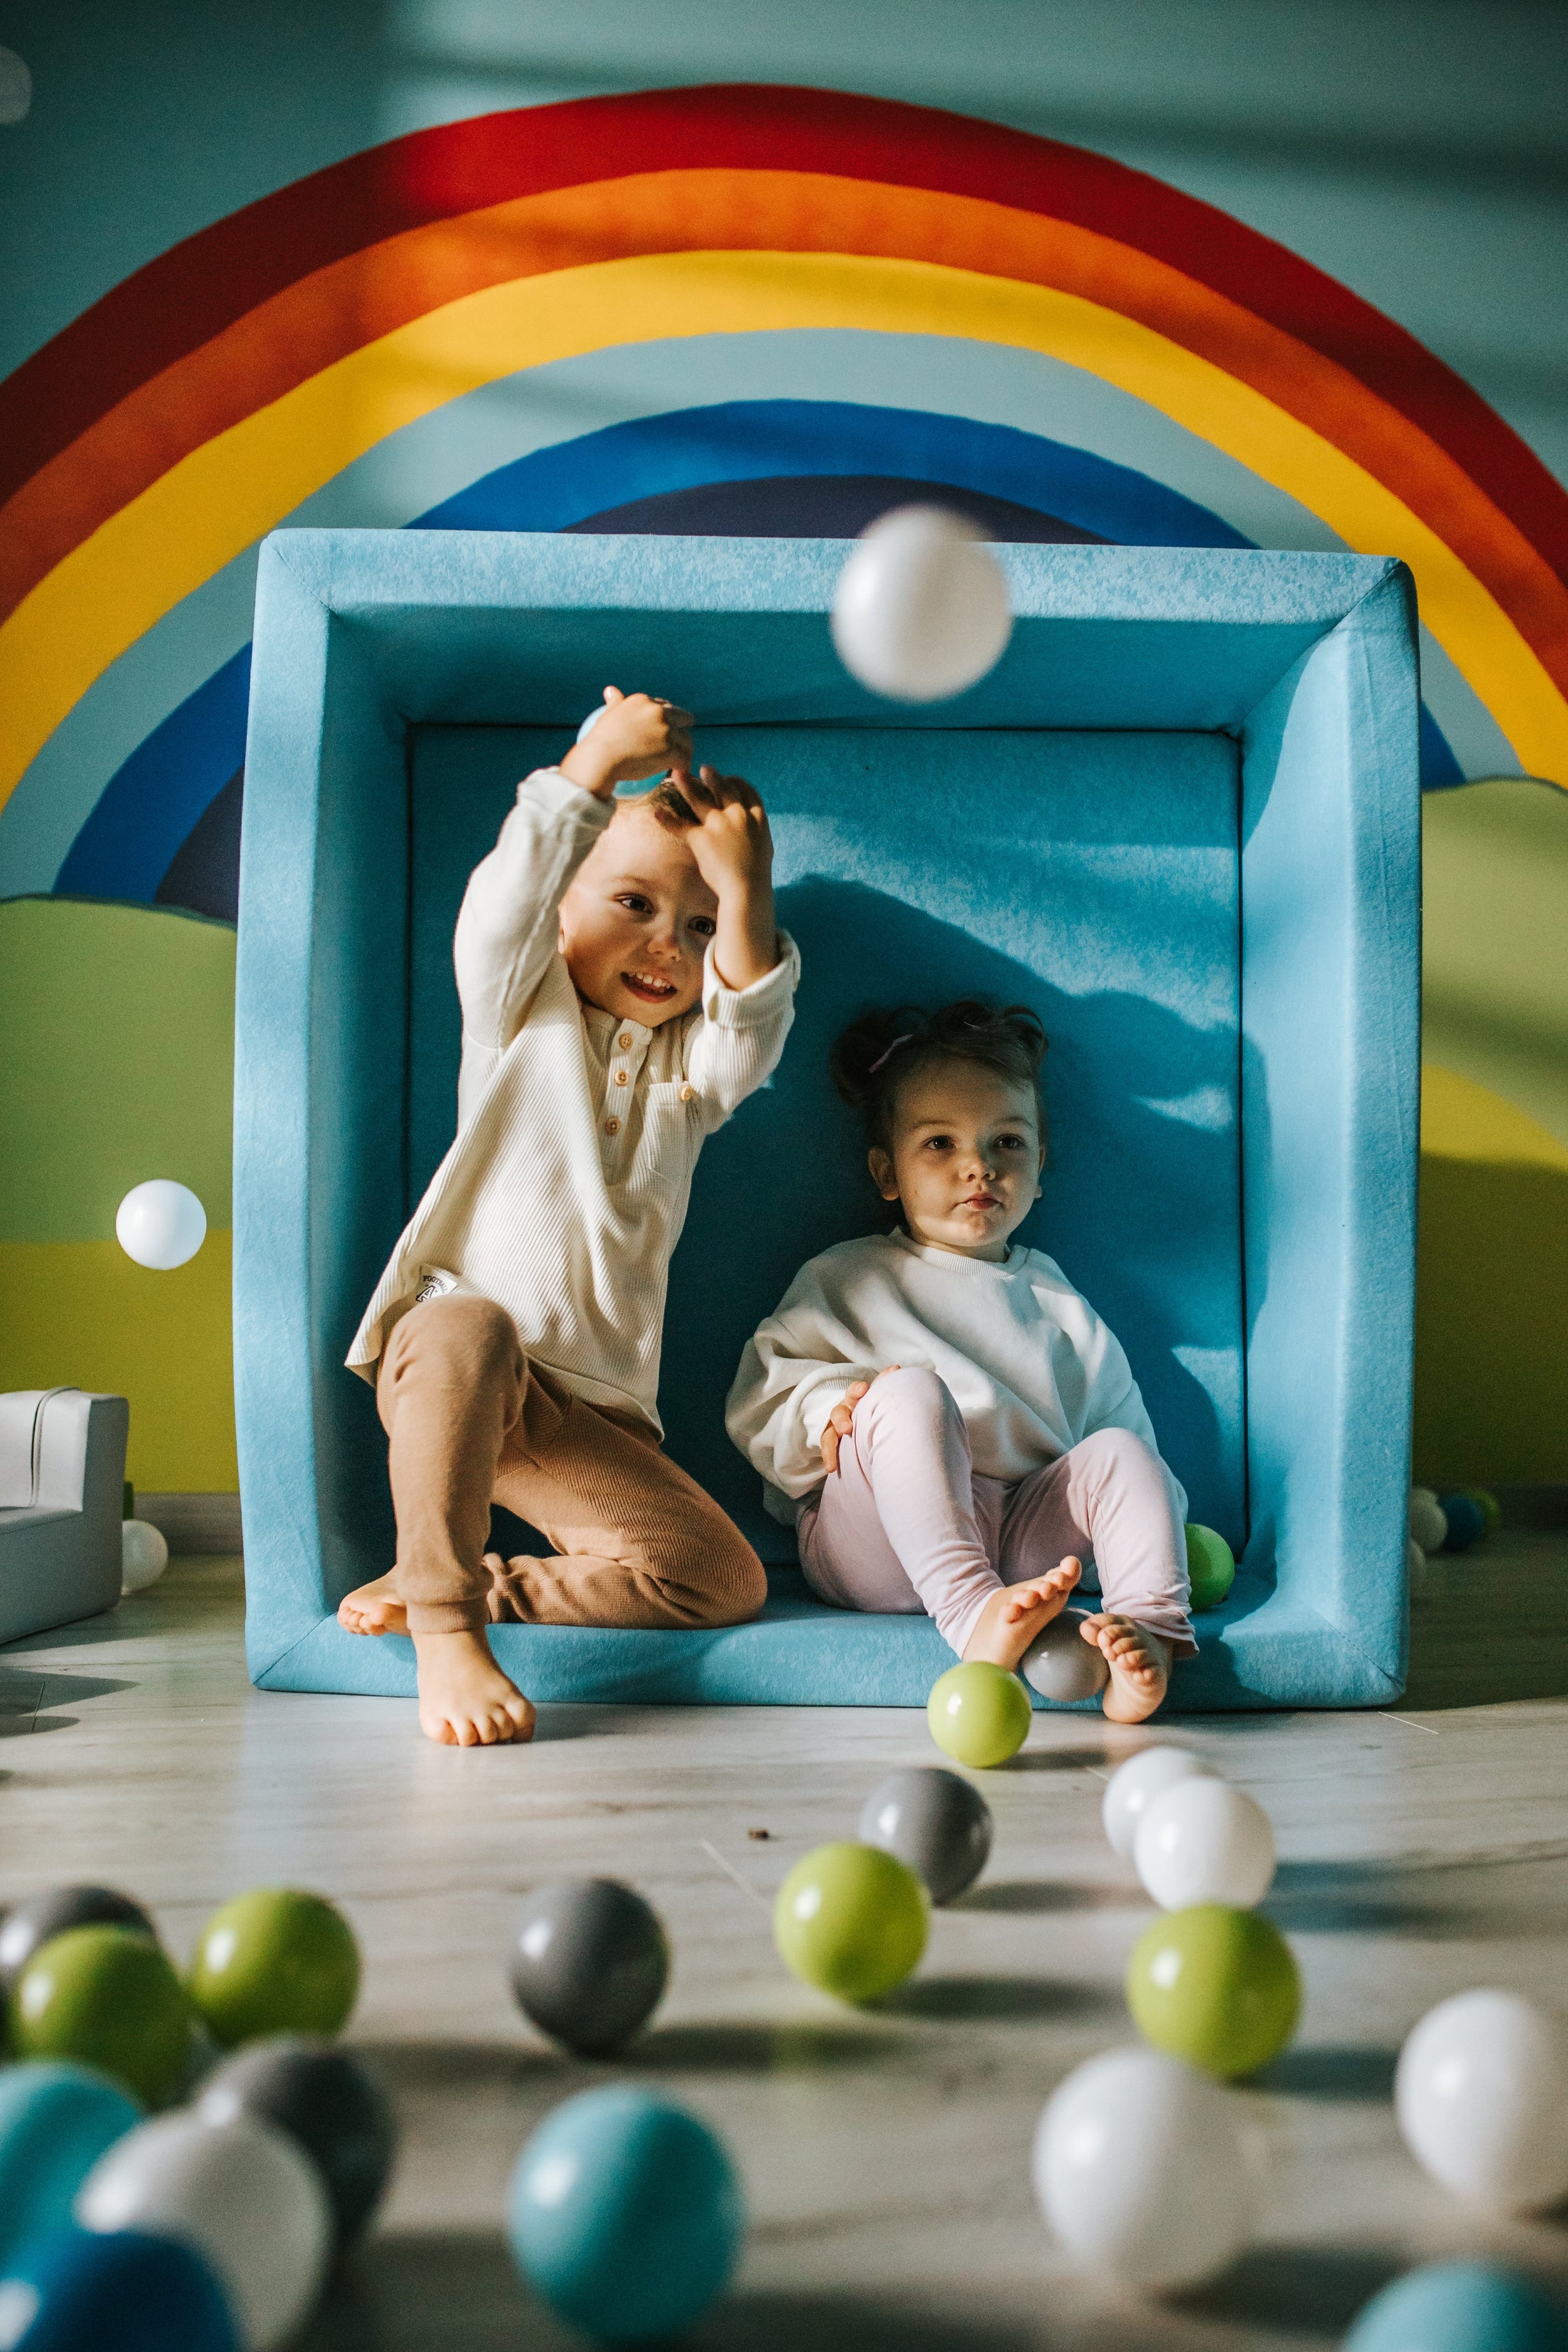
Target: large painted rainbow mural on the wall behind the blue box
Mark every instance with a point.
(744, 309)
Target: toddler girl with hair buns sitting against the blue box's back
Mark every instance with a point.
(949, 1422)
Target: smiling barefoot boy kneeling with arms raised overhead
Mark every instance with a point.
(624, 989)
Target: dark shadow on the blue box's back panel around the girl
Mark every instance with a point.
(1139, 1210)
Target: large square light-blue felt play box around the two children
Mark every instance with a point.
(1181, 820)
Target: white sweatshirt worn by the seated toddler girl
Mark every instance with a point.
(1031, 1365)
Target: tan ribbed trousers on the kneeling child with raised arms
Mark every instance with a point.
(471, 1422)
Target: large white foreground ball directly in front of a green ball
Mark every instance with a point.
(1141, 2170)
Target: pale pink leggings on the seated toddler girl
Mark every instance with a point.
(906, 1525)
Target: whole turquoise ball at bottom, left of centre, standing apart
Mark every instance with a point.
(626, 2214)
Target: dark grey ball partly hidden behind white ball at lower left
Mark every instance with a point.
(326, 2102)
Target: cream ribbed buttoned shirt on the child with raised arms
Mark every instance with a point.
(568, 1184)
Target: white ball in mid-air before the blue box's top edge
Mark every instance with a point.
(920, 610)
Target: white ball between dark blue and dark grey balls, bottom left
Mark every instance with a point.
(241, 2193)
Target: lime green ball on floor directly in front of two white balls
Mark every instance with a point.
(1214, 1986)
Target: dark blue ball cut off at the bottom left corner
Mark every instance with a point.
(74, 2292)
